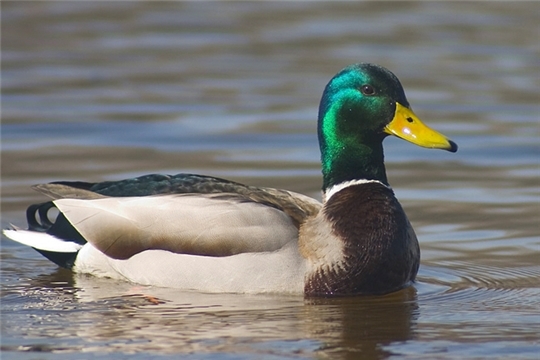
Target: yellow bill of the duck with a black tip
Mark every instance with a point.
(407, 126)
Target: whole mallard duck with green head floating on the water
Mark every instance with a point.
(208, 234)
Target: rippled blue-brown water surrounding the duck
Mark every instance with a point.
(98, 91)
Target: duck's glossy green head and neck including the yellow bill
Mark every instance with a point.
(360, 106)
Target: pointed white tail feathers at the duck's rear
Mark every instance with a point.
(42, 241)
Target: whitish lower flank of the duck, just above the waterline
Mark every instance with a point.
(279, 271)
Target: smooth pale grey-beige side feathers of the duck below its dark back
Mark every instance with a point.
(209, 225)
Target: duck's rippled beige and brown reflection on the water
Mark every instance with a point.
(108, 315)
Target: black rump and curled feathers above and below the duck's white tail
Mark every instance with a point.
(38, 219)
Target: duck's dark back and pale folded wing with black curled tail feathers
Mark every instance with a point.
(184, 213)
